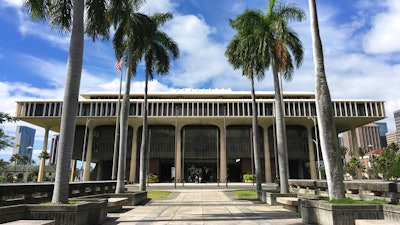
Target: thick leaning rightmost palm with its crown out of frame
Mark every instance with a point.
(329, 141)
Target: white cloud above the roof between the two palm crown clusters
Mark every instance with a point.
(201, 58)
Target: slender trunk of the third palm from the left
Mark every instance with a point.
(143, 147)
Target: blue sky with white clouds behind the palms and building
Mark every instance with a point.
(360, 40)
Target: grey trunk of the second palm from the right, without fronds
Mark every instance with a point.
(280, 134)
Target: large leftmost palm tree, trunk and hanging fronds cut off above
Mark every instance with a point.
(68, 16)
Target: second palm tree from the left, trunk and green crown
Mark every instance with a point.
(132, 29)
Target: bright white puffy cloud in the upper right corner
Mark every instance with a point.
(384, 35)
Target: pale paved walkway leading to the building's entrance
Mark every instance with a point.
(203, 204)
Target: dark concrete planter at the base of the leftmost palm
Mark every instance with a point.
(84, 213)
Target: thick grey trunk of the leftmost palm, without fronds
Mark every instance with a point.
(70, 105)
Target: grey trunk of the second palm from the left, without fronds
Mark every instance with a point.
(123, 139)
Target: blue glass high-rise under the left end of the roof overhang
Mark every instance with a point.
(24, 140)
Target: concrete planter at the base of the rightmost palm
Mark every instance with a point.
(324, 213)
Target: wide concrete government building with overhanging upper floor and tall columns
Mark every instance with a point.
(204, 132)
